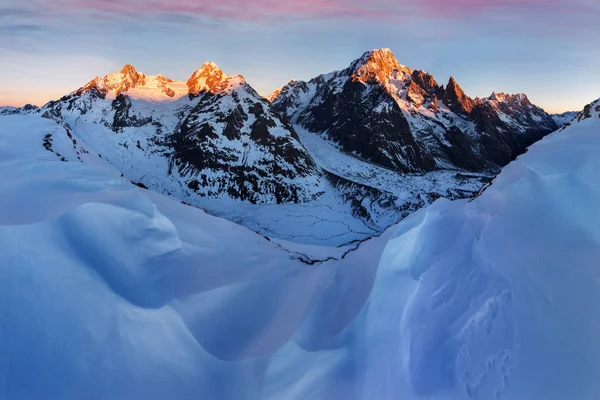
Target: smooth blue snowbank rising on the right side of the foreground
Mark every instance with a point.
(498, 298)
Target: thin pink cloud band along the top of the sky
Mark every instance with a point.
(272, 10)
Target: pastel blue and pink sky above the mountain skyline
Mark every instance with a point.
(548, 49)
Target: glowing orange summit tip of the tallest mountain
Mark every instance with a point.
(378, 66)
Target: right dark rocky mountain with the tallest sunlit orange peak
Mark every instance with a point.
(402, 119)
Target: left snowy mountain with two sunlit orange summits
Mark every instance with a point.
(212, 136)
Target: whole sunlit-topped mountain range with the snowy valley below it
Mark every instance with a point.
(360, 148)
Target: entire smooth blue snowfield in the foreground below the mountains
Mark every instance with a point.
(111, 291)
